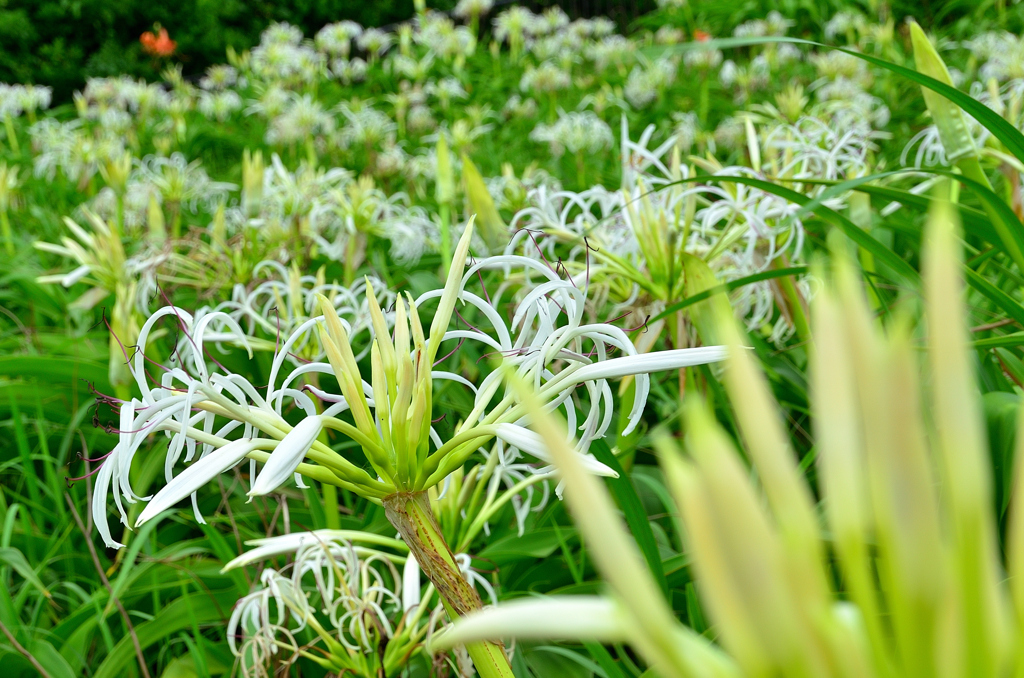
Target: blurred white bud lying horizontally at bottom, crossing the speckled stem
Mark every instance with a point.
(556, 618)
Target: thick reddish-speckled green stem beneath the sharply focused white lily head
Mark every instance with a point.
(410, 514)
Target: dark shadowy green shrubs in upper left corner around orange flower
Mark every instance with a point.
(62, 43)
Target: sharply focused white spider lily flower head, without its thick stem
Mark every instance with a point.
(548, 344)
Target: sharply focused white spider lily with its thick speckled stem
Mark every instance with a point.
(217, 419)
